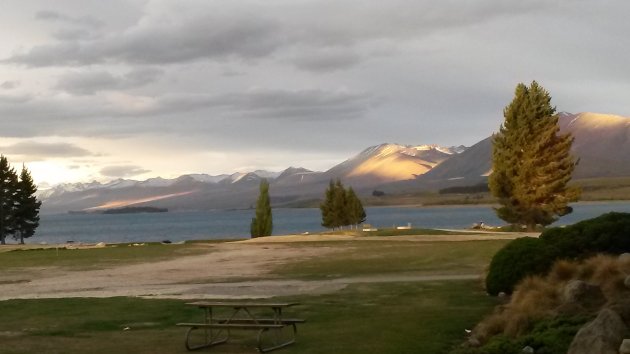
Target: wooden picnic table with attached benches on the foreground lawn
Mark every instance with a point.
(245, 316)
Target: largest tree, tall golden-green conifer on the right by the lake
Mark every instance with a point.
(532, 164)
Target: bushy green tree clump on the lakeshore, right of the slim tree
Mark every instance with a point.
(341, 207)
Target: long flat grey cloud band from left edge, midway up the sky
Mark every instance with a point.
(180, 113)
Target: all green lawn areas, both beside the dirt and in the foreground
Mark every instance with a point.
(394, 317)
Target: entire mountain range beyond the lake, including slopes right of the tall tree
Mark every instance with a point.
(602, 143)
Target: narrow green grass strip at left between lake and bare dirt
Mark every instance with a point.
(78, 259)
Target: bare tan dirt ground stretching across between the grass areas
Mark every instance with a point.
(233, 270)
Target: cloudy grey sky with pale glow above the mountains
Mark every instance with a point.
(99, 90)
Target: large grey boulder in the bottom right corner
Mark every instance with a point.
(603, 335)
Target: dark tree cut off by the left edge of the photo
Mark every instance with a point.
(8, 186)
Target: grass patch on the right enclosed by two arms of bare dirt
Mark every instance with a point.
(359, 258)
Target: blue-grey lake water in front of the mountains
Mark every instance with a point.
(234, 224)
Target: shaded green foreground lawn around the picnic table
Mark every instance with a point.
(363, 318)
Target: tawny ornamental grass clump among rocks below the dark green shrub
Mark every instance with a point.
(542, 315)
